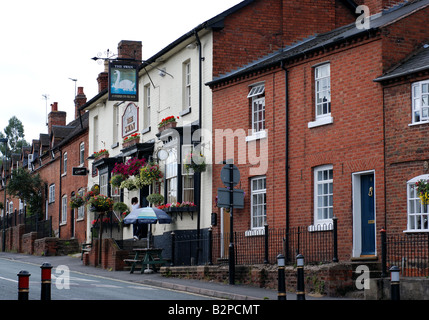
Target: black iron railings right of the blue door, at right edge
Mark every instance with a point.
(409, 252)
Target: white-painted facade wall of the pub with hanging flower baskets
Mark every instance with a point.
(167, 98)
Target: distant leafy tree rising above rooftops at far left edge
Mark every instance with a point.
(14, 132)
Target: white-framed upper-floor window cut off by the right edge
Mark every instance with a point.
(420, 102)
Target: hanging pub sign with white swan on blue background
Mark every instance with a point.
(123, 81)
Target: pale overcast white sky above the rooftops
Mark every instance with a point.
(44, 43)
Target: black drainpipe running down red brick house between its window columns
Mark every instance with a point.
(287, 159)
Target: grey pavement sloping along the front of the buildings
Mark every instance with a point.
(202, 287)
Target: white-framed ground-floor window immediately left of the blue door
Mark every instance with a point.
(323, 195)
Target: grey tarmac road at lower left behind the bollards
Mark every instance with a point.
(70, 285)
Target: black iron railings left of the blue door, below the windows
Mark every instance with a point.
(317, 245)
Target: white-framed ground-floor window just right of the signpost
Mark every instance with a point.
(258, 203)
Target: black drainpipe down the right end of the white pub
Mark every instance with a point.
(200, 123)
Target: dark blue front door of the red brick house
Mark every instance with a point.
(367, 214)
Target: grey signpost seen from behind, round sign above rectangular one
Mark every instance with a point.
(230, 198)
